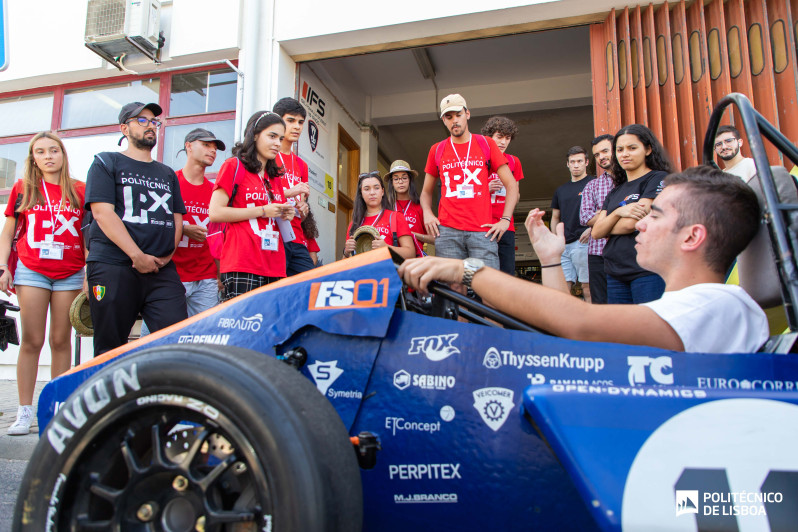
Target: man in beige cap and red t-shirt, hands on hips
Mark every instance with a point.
(464, 163)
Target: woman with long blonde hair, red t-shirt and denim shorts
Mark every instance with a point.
(47, 206)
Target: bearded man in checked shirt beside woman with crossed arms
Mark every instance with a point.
(592, 200)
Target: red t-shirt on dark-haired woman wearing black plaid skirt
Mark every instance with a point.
(242, 250)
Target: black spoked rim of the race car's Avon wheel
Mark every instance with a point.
(165, 467)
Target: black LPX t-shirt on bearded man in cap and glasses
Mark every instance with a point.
(145, 196)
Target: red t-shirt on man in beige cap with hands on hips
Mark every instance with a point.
(465, 198)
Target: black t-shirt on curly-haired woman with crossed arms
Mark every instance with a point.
(620, 256)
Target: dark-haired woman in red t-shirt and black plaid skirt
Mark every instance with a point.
(248, 196)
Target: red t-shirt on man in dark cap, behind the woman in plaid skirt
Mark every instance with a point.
(193, 259)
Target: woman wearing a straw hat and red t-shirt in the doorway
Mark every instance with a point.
(403, 197)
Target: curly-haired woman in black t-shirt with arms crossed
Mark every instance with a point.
(639, 168)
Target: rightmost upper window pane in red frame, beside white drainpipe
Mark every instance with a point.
(203, 92)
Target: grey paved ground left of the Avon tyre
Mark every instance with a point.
(14, 450)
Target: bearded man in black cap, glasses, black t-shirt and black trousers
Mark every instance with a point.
(137, 214)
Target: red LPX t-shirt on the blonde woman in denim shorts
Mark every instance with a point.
(43, 222)
